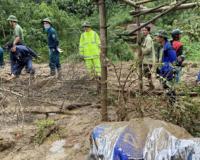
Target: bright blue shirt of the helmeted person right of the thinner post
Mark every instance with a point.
(169, 54)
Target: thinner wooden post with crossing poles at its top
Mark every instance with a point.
(141, 10)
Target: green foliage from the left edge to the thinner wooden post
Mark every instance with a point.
(67, 17)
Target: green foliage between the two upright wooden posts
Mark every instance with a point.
(118, 49)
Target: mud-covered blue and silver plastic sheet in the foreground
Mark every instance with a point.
(143, 139)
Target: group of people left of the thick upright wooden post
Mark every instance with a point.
(21, 55)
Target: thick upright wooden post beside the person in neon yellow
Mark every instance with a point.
(103, 36)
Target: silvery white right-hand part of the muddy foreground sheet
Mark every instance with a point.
(162, 145)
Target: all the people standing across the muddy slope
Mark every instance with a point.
(167, 64)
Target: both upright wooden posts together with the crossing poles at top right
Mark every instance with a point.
(138, 11)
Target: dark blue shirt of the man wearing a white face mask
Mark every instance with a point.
(52, 38)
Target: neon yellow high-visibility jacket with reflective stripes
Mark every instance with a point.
(89, 45)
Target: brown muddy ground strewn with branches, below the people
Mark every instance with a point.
(73, 104)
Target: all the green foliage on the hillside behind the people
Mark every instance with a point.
(68, 15)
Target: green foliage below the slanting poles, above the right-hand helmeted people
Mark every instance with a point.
(188, 21)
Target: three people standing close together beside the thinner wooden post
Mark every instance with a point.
(167, 62)
